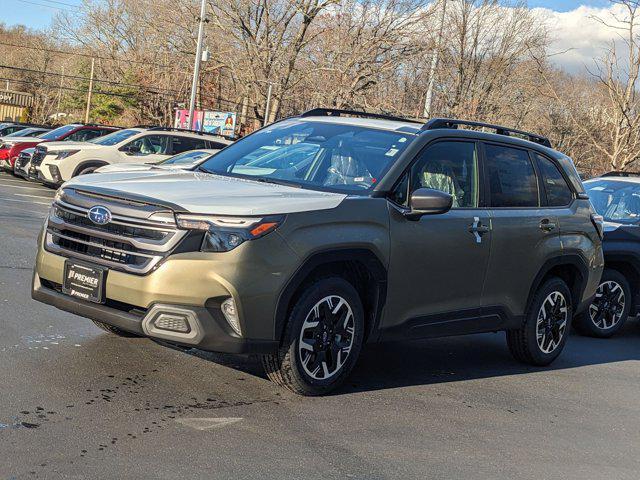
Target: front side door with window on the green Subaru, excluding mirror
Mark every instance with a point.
(438, 263)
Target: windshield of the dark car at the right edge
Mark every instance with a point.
(616, 201)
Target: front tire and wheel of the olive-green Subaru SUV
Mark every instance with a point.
(322, 339)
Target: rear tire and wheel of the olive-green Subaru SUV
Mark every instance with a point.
(546, 327)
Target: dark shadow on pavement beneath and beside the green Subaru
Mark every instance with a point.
(473, 357)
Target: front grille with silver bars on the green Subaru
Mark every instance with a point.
(131, 243)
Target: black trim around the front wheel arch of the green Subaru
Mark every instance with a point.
(363, 255)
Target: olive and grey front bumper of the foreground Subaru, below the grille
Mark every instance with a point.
(194, 284)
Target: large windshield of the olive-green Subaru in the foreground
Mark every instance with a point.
(317, 155)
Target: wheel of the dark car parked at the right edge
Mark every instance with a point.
(609, 311)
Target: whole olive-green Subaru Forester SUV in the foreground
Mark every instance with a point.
(321, 232)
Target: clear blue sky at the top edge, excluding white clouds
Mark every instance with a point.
(38, 13)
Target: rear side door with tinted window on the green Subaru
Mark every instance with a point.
(525, 231)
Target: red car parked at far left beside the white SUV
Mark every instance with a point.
(76, 132)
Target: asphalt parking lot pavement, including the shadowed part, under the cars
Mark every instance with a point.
(78, 403)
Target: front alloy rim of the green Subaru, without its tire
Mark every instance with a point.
(326, 338)
